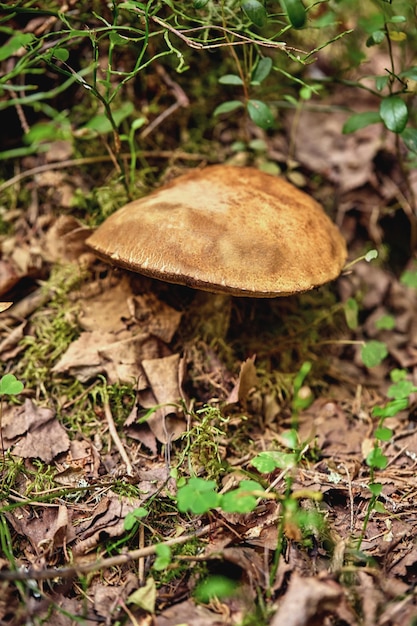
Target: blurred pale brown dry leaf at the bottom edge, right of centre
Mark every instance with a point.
(307, 601)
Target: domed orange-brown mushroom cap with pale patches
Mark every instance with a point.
(226, 229)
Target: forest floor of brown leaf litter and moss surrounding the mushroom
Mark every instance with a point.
(92, 528)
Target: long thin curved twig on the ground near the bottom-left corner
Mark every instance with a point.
(86, 568)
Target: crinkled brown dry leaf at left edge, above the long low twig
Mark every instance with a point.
(34, 432)
